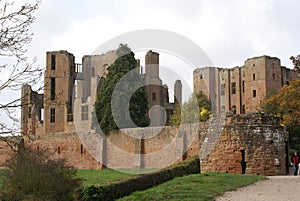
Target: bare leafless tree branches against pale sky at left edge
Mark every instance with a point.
(15, 67)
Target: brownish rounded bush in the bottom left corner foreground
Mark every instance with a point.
(33, 175)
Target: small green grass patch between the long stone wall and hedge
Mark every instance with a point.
(100, 177)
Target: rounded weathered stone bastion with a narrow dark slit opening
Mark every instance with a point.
(256, 137)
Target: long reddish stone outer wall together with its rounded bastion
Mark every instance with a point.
(221, 143)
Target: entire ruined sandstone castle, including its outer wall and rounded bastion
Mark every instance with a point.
(225, 143)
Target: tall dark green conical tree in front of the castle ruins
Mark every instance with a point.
(112, 101)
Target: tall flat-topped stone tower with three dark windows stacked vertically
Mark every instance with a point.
(58, 96)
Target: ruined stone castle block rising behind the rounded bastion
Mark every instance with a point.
(244, 89)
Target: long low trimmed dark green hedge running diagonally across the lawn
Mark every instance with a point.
(117, 190)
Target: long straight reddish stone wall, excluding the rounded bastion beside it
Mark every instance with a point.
(155, 147)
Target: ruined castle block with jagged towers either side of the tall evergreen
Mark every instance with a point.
(70, 92)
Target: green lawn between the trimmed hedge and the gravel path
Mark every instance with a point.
(200, 187)
